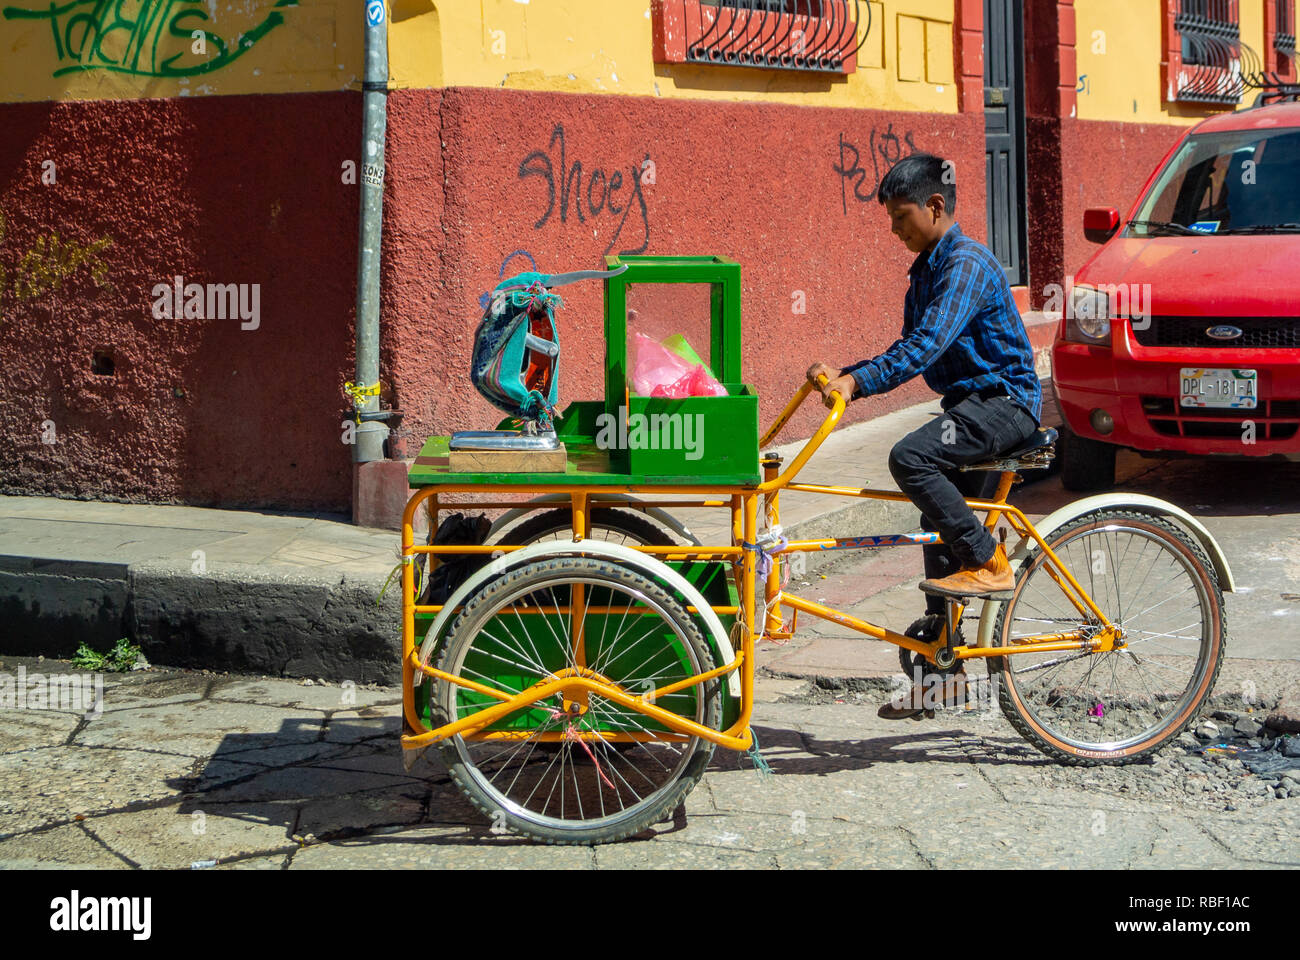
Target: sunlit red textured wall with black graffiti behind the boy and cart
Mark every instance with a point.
(757, 184)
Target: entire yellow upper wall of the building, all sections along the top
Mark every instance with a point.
(77, 50)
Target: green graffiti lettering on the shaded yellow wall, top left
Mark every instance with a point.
(146, 38)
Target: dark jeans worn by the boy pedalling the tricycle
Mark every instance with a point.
(925, 466)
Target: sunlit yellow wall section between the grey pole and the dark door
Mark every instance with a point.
(608, 47)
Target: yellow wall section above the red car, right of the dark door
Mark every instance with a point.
(1119, 49)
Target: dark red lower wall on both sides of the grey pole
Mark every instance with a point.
(249, 191)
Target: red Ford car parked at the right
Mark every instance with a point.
(1182, 335)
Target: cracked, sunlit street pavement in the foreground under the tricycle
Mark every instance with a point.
(188, 768)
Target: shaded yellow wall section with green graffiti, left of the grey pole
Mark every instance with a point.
(89, 50)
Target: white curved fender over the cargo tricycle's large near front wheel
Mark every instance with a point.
(587, 548)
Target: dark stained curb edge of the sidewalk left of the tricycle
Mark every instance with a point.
(244, 619)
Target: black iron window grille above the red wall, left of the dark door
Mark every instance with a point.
(785, 34)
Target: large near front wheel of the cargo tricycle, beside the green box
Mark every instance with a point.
(577, 768)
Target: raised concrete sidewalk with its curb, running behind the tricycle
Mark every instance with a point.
(294, 595)
